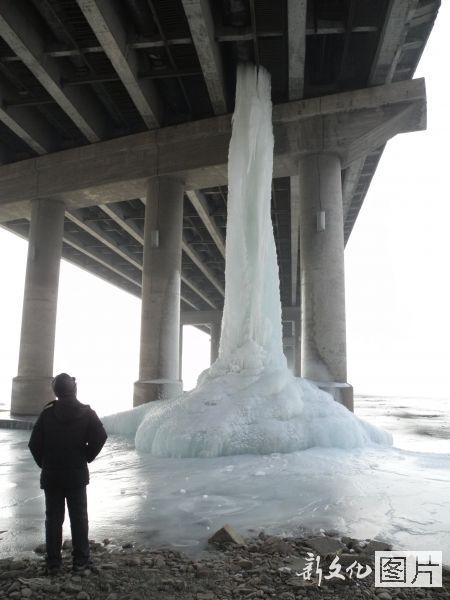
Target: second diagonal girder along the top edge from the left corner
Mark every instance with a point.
(108, 28)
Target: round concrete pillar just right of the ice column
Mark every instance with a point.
(323, 338)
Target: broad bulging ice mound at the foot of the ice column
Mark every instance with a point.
(245, 414)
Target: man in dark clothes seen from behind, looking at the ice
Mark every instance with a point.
(66, 436)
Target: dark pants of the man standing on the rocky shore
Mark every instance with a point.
(54, 518)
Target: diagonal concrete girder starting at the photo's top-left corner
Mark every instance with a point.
(16, 29)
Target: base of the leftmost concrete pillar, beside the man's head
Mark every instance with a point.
(30, 394)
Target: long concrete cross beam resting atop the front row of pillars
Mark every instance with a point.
(350, 125)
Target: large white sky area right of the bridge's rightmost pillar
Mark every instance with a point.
(397, 258)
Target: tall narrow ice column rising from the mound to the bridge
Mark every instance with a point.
(251, 325)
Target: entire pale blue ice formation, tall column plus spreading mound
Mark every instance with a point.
(248, 402)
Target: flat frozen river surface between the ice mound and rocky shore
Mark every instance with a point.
(400, 494)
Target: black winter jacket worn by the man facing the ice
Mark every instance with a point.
(66, 436)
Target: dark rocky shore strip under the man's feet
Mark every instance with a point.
(263, 567)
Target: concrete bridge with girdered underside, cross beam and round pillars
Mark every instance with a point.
(110, 109)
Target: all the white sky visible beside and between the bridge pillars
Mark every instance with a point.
(397, 281)
